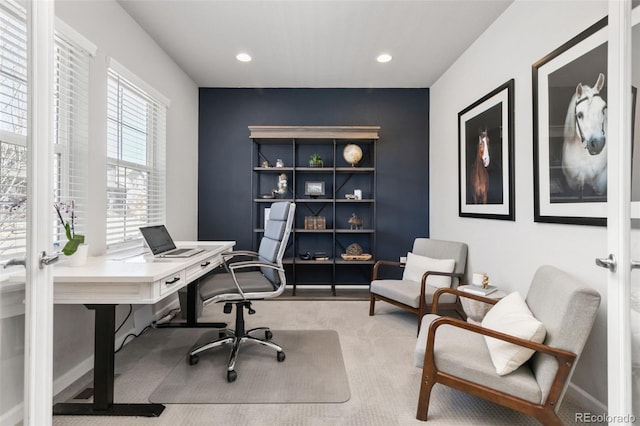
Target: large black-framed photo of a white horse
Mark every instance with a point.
(569, 134)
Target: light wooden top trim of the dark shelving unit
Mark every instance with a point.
(315, 132)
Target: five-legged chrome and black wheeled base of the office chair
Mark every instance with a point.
(236, 338)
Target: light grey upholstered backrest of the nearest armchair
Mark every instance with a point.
(567, 308)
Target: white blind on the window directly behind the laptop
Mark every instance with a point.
(135, 160)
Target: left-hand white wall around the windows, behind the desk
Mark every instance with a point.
(116, 35)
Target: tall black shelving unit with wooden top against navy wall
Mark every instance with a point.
(284, 151)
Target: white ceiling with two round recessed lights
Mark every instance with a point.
(314, 43)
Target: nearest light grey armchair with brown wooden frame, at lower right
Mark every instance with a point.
(565, 307)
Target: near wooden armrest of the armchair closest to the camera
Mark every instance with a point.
(565, 359)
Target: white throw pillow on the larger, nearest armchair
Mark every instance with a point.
(512, 316)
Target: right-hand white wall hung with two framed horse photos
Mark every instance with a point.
(510, 252)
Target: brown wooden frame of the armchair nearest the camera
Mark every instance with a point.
(544, 412)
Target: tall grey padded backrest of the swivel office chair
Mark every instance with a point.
(275, 238)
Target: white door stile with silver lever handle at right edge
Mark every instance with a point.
(623, 287)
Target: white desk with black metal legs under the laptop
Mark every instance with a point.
(107, 281)
